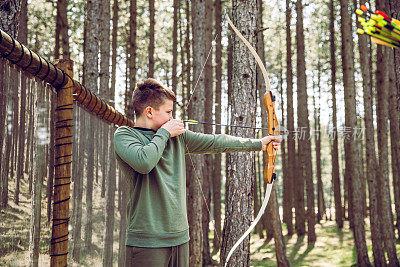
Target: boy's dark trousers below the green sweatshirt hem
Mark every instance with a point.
(177, 256)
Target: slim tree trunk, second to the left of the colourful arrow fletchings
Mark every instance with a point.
(335, 144)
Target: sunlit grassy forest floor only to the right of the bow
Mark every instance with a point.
(334, 247)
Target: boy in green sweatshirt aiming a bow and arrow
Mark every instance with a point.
(152, 157)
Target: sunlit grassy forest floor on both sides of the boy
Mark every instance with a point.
(333, 247)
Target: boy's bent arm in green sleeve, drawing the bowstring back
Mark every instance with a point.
(142, 158)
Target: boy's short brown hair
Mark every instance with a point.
(152, 93)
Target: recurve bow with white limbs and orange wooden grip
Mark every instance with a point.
(273, 127)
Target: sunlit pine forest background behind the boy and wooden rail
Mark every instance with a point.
(336, 199)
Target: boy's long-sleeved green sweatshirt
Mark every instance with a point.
(153, 165)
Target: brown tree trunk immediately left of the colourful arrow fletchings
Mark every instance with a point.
(351, 148)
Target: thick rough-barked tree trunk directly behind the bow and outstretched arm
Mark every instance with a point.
(240, 165)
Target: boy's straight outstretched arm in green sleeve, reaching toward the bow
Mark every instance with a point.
(199, 143)
